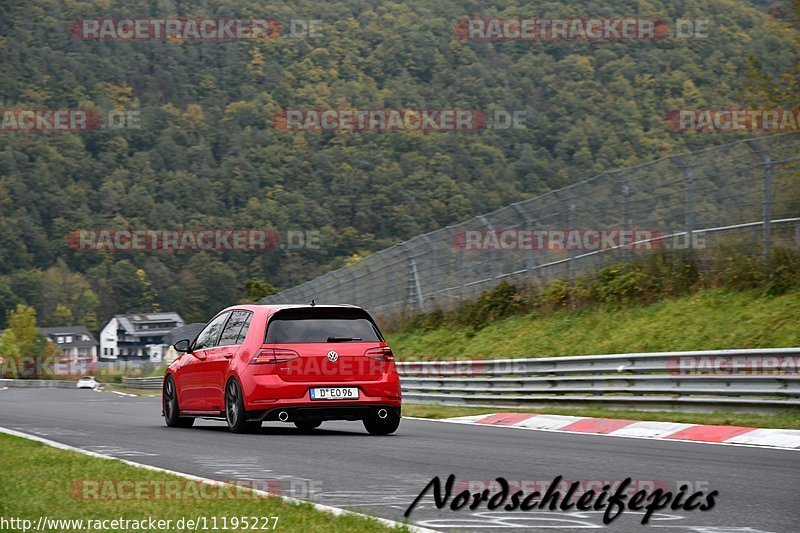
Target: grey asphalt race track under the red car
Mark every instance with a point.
(340, 465)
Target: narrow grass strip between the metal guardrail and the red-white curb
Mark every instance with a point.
(787, 420)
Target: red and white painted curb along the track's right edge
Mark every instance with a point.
(776, 438)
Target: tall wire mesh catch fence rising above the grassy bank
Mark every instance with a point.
(744, 195)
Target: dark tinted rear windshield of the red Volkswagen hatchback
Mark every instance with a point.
(321, 325)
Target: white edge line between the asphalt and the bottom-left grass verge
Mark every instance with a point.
(319, 507)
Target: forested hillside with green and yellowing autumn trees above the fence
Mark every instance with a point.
(208, 154)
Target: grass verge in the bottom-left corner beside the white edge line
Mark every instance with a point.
(38, 480)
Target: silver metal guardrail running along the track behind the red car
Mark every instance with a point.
(674, 380)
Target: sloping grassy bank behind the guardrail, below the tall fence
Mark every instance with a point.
(707, 320)
